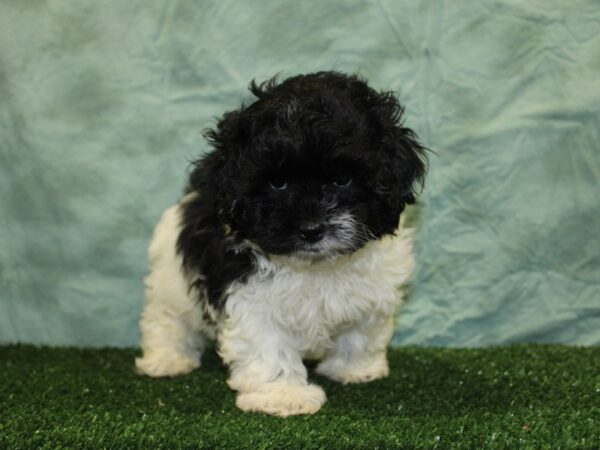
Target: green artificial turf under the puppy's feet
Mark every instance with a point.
(511, 397)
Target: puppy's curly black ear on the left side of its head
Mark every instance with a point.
(213, 175)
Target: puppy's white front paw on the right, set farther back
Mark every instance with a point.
(356, 372)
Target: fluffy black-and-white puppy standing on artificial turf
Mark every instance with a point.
(287, 243)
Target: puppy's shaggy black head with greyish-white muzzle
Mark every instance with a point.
(315, 167)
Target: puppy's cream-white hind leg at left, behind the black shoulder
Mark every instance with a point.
(172, 320)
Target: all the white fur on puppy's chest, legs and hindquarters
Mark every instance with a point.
(339, 311)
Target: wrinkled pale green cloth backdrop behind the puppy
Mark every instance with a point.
(102, 106)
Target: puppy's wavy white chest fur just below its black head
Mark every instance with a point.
(312, 303)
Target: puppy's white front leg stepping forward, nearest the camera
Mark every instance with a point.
(266, 371)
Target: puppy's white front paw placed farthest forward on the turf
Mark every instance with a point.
(282, 400)
